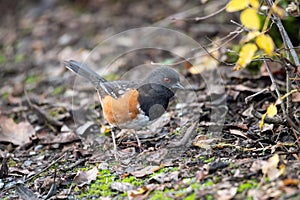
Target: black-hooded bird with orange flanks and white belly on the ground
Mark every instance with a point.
(130, 104)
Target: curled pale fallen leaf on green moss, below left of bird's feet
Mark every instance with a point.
(85, 177)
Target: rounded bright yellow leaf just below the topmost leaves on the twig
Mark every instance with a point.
(250, 19)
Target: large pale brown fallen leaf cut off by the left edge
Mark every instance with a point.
(17, 134)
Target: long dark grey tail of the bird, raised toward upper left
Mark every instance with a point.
(84, 71)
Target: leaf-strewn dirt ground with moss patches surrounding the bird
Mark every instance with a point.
(55, 143)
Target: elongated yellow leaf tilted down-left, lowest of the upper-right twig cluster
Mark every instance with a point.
(246, 54)
